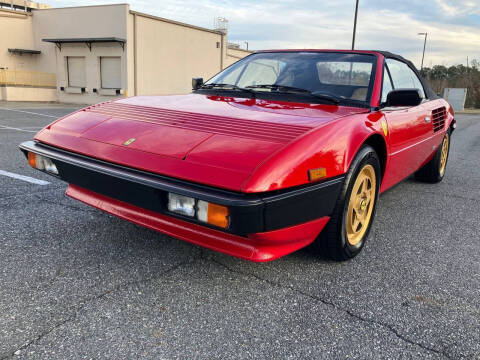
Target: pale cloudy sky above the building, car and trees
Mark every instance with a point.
(453, 26)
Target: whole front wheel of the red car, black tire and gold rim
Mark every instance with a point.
(349, 226)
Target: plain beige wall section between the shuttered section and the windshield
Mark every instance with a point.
(169, 54)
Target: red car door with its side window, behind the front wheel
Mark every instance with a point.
(409, 128)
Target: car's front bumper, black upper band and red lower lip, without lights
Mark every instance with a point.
(262, 226)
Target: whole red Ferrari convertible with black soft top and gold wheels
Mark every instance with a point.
(279, 150)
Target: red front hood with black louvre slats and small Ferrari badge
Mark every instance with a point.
(213, 140)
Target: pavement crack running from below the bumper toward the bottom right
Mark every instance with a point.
(330, 303)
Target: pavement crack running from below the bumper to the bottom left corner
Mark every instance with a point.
(82, 304)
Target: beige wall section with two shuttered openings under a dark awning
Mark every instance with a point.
(82, 22)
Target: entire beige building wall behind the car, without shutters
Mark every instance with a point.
(160, 56)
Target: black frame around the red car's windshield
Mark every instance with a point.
(333, 56)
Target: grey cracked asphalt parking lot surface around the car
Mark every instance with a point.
(76, 283)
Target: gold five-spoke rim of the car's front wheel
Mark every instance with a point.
(360, 206)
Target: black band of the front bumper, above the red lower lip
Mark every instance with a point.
(249, 213)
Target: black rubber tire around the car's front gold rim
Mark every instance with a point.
(333, 240)
